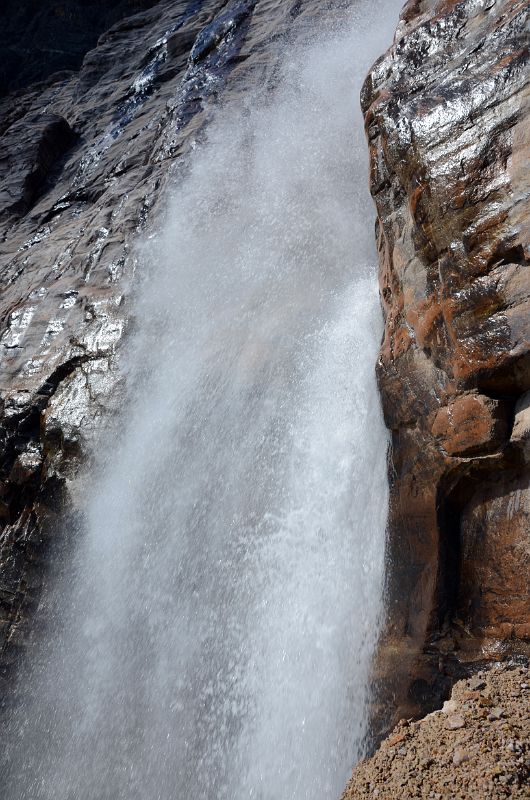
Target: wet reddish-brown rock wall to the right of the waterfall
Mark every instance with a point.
(447, 120)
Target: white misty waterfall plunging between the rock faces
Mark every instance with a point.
(223, 607)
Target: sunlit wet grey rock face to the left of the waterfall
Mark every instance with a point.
(84, 160)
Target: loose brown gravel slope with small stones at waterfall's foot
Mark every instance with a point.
(478, 746)
